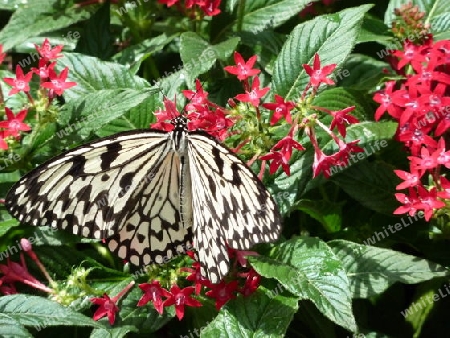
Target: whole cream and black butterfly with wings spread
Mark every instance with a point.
(151, 195)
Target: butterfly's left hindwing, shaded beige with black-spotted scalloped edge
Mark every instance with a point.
(155, 232)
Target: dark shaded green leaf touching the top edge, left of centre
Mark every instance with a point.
(96, 39)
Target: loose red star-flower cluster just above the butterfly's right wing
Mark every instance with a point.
(280, 154)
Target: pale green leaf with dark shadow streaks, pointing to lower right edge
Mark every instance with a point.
(372, 270)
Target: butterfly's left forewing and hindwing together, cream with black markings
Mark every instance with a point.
(123, 188)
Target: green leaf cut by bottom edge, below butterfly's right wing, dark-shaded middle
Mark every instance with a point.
(260, 315)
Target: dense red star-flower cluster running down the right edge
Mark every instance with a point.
(421, 105)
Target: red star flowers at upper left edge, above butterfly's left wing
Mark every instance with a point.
(50, 81)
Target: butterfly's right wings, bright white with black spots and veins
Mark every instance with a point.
(230, 205)
